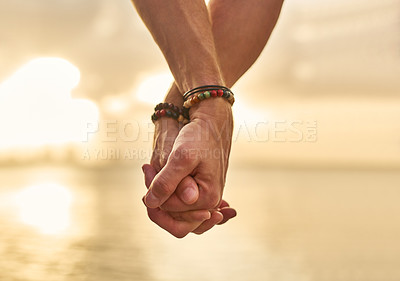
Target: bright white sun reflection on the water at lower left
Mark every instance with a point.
(46, 207)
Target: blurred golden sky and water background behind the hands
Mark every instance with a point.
(315, 163)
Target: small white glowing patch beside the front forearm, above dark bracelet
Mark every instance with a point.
(153, 88)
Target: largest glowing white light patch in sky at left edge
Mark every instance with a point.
(36, 107)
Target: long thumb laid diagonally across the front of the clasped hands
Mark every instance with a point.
(166, 181)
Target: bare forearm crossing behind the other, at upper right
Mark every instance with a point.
(241, 29)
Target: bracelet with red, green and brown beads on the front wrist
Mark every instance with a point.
(198, 94)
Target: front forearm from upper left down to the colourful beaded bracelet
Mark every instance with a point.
(182, 30)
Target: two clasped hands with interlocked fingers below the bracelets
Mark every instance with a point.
(187, 172)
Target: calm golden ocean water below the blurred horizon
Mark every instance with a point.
(65, 223)
